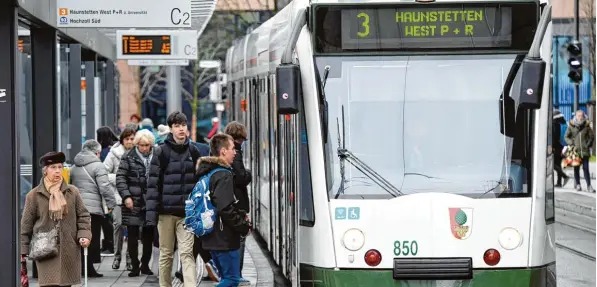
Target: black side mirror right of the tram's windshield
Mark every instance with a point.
(531, 84)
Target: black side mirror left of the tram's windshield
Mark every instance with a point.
(288, 88)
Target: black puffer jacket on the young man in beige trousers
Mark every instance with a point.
(171, 179)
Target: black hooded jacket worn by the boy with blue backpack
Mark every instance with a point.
(230, 221)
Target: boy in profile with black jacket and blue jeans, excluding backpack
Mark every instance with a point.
(223, 239)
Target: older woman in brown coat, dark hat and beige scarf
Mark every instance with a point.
(53, 201)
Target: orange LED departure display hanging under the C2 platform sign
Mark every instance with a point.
(146, 45)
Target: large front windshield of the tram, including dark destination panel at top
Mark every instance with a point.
(424, 123)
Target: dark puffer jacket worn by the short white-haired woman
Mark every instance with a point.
(132, 182)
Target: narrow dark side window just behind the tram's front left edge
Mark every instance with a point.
(307, 215)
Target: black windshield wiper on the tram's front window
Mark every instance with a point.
(346, 155)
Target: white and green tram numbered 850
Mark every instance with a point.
(401, 143)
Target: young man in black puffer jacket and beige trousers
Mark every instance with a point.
(171, 180)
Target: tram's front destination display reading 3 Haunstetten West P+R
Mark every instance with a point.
(441, 26)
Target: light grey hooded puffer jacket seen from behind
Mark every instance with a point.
(95, 186)
